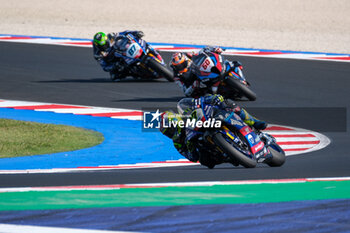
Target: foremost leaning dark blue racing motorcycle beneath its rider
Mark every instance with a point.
(234, 141)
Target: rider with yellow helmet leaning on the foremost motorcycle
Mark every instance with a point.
(187, 107)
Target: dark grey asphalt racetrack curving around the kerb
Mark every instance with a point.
(287, 90)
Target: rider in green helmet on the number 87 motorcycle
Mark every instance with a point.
(103, 52)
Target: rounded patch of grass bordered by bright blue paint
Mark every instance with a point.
(22, 138)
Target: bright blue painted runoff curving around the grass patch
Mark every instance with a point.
(125, 143)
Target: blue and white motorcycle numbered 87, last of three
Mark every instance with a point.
(141, 59)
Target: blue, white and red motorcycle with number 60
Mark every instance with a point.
(221, 77)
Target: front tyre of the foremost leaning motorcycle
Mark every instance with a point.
(232, 152)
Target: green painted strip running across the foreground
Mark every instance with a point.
(165, 196)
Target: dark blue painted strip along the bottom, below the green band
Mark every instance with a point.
(296, 216)
